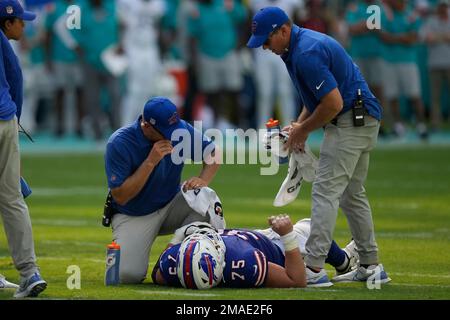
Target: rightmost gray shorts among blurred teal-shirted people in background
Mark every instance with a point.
(401, 79)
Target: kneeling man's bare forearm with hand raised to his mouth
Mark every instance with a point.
(134, 183)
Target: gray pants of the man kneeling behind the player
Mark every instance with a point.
(136, 235)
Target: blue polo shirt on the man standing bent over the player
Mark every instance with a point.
(318, 64)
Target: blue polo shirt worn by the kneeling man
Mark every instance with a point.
(127, 149)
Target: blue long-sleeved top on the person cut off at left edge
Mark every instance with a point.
(11, 81)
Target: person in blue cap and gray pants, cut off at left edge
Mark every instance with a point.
(13, 209)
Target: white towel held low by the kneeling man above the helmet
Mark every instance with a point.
(205, 201)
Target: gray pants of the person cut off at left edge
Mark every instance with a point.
(13, 209)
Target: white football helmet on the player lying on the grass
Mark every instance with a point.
(201, 260)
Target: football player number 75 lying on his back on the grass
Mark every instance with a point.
(199, 257)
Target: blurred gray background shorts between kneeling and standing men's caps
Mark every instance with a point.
(219, 74)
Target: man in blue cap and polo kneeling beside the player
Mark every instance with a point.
(144, 181)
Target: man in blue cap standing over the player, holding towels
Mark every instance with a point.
(330, 86)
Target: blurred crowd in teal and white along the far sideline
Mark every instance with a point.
(87, 77)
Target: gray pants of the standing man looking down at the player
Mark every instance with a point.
(342, 171)
